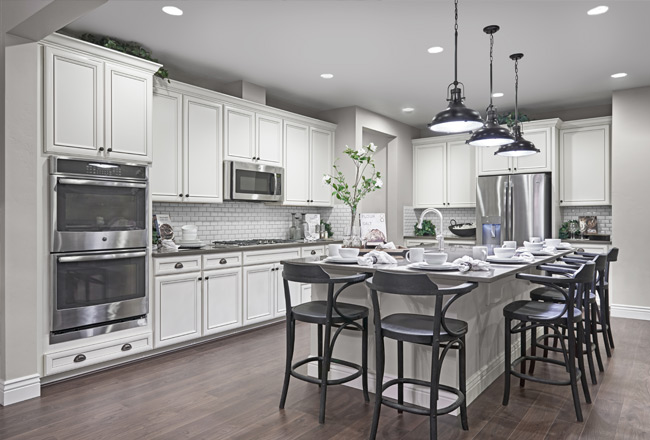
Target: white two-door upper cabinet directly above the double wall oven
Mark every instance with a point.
(97, 102)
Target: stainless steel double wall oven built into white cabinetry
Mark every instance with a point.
(99, 235)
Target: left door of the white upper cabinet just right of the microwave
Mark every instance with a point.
(296, 152)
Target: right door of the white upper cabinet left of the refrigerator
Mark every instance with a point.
(461, 175)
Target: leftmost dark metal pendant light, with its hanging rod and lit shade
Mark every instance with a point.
(456, 118)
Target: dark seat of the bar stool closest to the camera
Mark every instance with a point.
(418, 329)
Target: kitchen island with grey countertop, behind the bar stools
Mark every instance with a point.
(481, 309)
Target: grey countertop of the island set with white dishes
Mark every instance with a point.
(497, 271)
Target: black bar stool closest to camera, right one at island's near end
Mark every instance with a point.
(435, 331)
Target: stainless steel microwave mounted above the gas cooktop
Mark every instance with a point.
(251, 181)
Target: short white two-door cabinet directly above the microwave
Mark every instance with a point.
(251, 136)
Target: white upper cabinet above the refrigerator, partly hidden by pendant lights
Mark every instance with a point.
(542, 133)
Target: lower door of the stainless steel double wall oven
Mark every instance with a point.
(94, 288)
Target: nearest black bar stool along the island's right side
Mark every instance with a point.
(534, 314)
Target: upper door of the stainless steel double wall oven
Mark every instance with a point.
(96, 214)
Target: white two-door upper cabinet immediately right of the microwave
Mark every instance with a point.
(308, 152)
